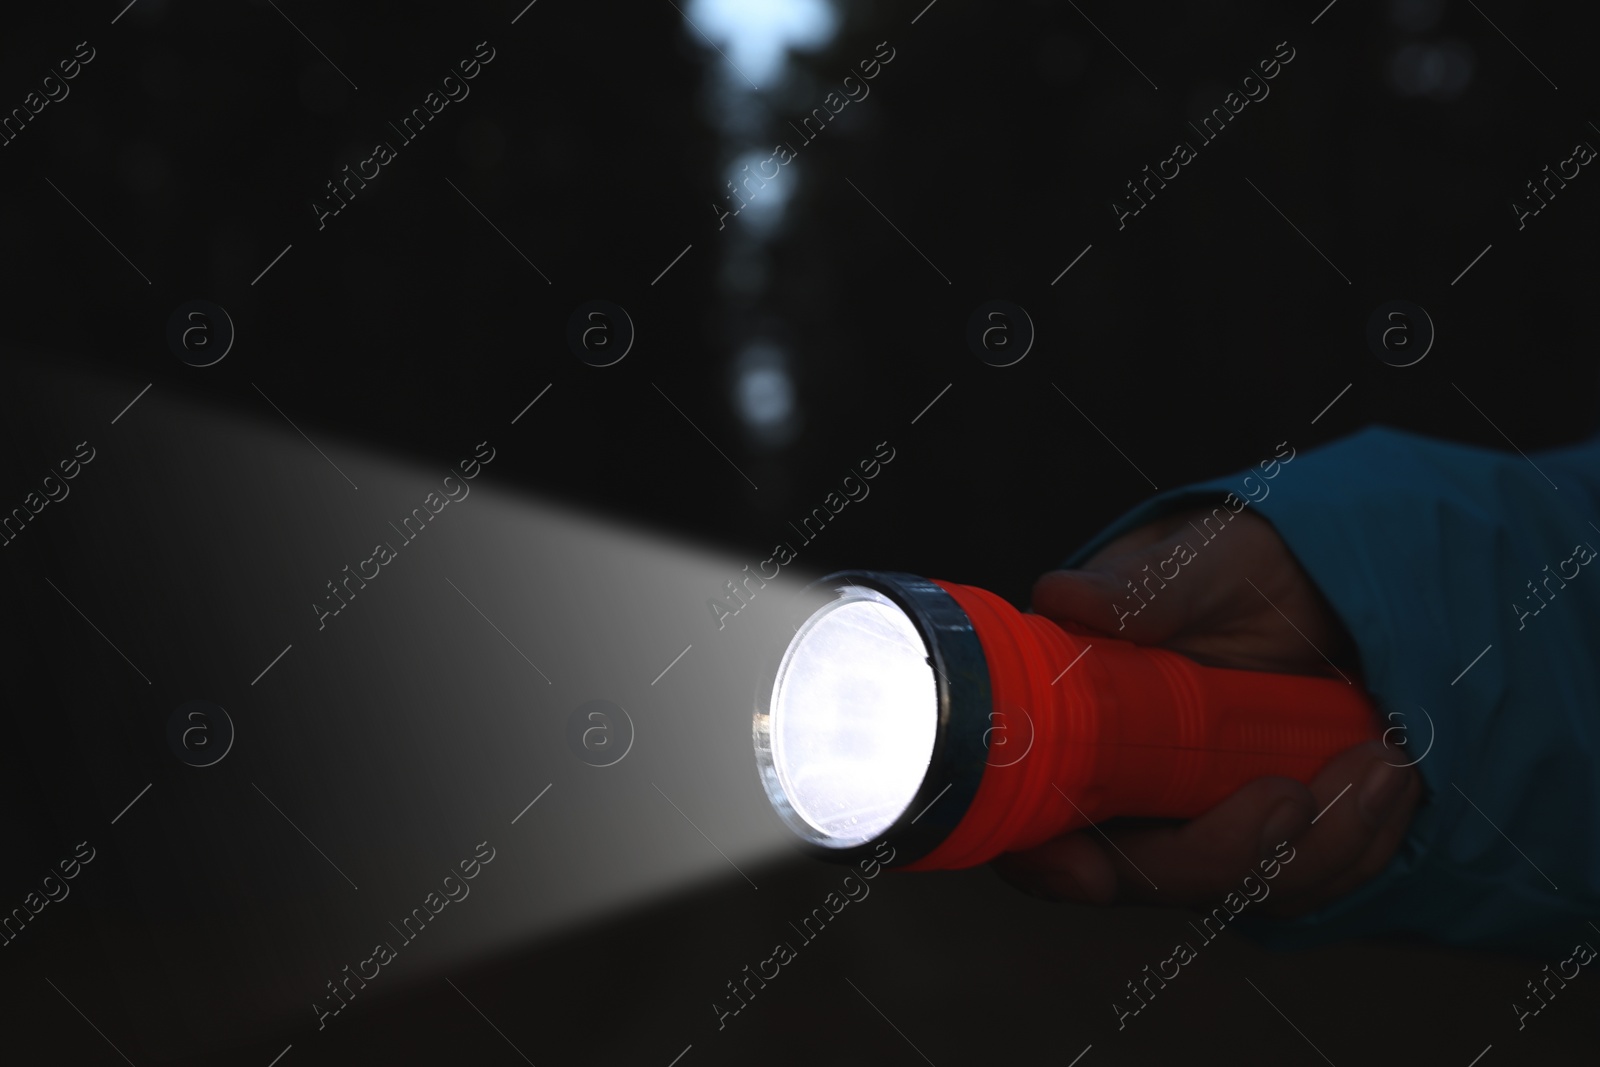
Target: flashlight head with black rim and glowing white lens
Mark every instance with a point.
(873, 724)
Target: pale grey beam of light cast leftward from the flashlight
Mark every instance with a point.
(409, 725)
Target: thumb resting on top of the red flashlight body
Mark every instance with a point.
(1129, 596)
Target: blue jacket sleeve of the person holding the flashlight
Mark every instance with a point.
(1471, 586)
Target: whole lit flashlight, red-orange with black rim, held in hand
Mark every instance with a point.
(946, 722)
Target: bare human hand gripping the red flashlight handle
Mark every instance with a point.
(1214, 615)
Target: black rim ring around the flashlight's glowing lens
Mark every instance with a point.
(961, 748)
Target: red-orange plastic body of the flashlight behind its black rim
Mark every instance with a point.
(1129, 730)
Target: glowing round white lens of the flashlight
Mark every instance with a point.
(854, 717)
